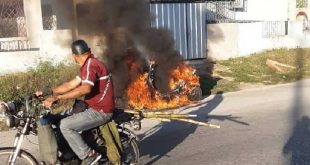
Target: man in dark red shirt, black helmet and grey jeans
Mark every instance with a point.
(95, 83)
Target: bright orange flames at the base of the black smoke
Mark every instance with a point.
(140, 96)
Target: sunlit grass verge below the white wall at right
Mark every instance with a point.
(253, 69)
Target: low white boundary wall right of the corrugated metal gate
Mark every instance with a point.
(241, 39)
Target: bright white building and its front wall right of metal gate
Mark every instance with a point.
(256, 26)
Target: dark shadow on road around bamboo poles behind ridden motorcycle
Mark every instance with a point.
(163, 138)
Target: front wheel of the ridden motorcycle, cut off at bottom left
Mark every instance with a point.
(24, 158)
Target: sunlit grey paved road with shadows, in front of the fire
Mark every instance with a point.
(268, 125)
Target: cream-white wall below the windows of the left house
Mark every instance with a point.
(55, 47)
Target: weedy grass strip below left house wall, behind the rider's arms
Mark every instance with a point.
(17, 85)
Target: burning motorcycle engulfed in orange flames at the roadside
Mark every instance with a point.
(184, 89)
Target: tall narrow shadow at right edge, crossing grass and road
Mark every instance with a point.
(297, 147)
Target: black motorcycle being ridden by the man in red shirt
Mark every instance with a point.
(24, 113)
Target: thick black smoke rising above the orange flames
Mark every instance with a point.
(128, 38)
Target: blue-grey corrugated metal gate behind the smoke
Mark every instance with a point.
(187, 23)
